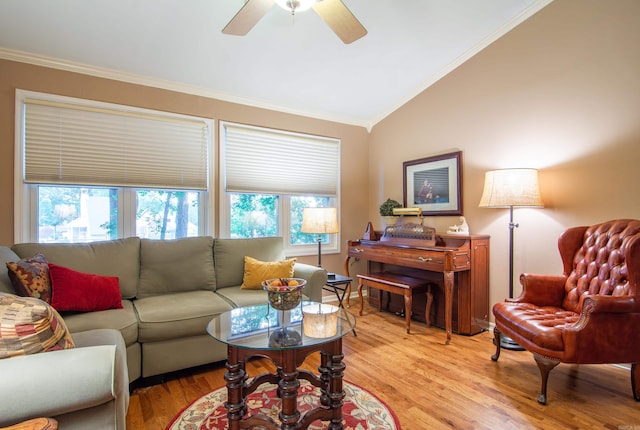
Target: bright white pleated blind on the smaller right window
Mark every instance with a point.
(266, 161)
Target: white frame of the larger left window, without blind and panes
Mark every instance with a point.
(26, 195)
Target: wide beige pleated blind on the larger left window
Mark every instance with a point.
(77, 144)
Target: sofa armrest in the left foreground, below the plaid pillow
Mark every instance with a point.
(54, 383)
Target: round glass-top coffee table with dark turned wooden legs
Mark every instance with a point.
(280, 336)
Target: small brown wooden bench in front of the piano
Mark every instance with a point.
(398, 284)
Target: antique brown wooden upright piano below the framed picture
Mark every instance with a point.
(458, 264)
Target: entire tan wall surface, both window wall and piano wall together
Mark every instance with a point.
(560, 93)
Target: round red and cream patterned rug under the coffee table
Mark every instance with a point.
(361, 410)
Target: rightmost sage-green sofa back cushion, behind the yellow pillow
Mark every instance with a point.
(229, 257)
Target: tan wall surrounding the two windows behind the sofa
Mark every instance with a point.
(14, 75)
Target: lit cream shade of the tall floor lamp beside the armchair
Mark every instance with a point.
(511, 187)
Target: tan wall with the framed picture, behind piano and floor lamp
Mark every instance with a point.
(561, 93)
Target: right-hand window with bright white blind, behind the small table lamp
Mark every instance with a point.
(269, 177)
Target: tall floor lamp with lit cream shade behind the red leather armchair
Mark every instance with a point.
(509, 188)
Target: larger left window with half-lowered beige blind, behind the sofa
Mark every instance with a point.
(95, 171)
